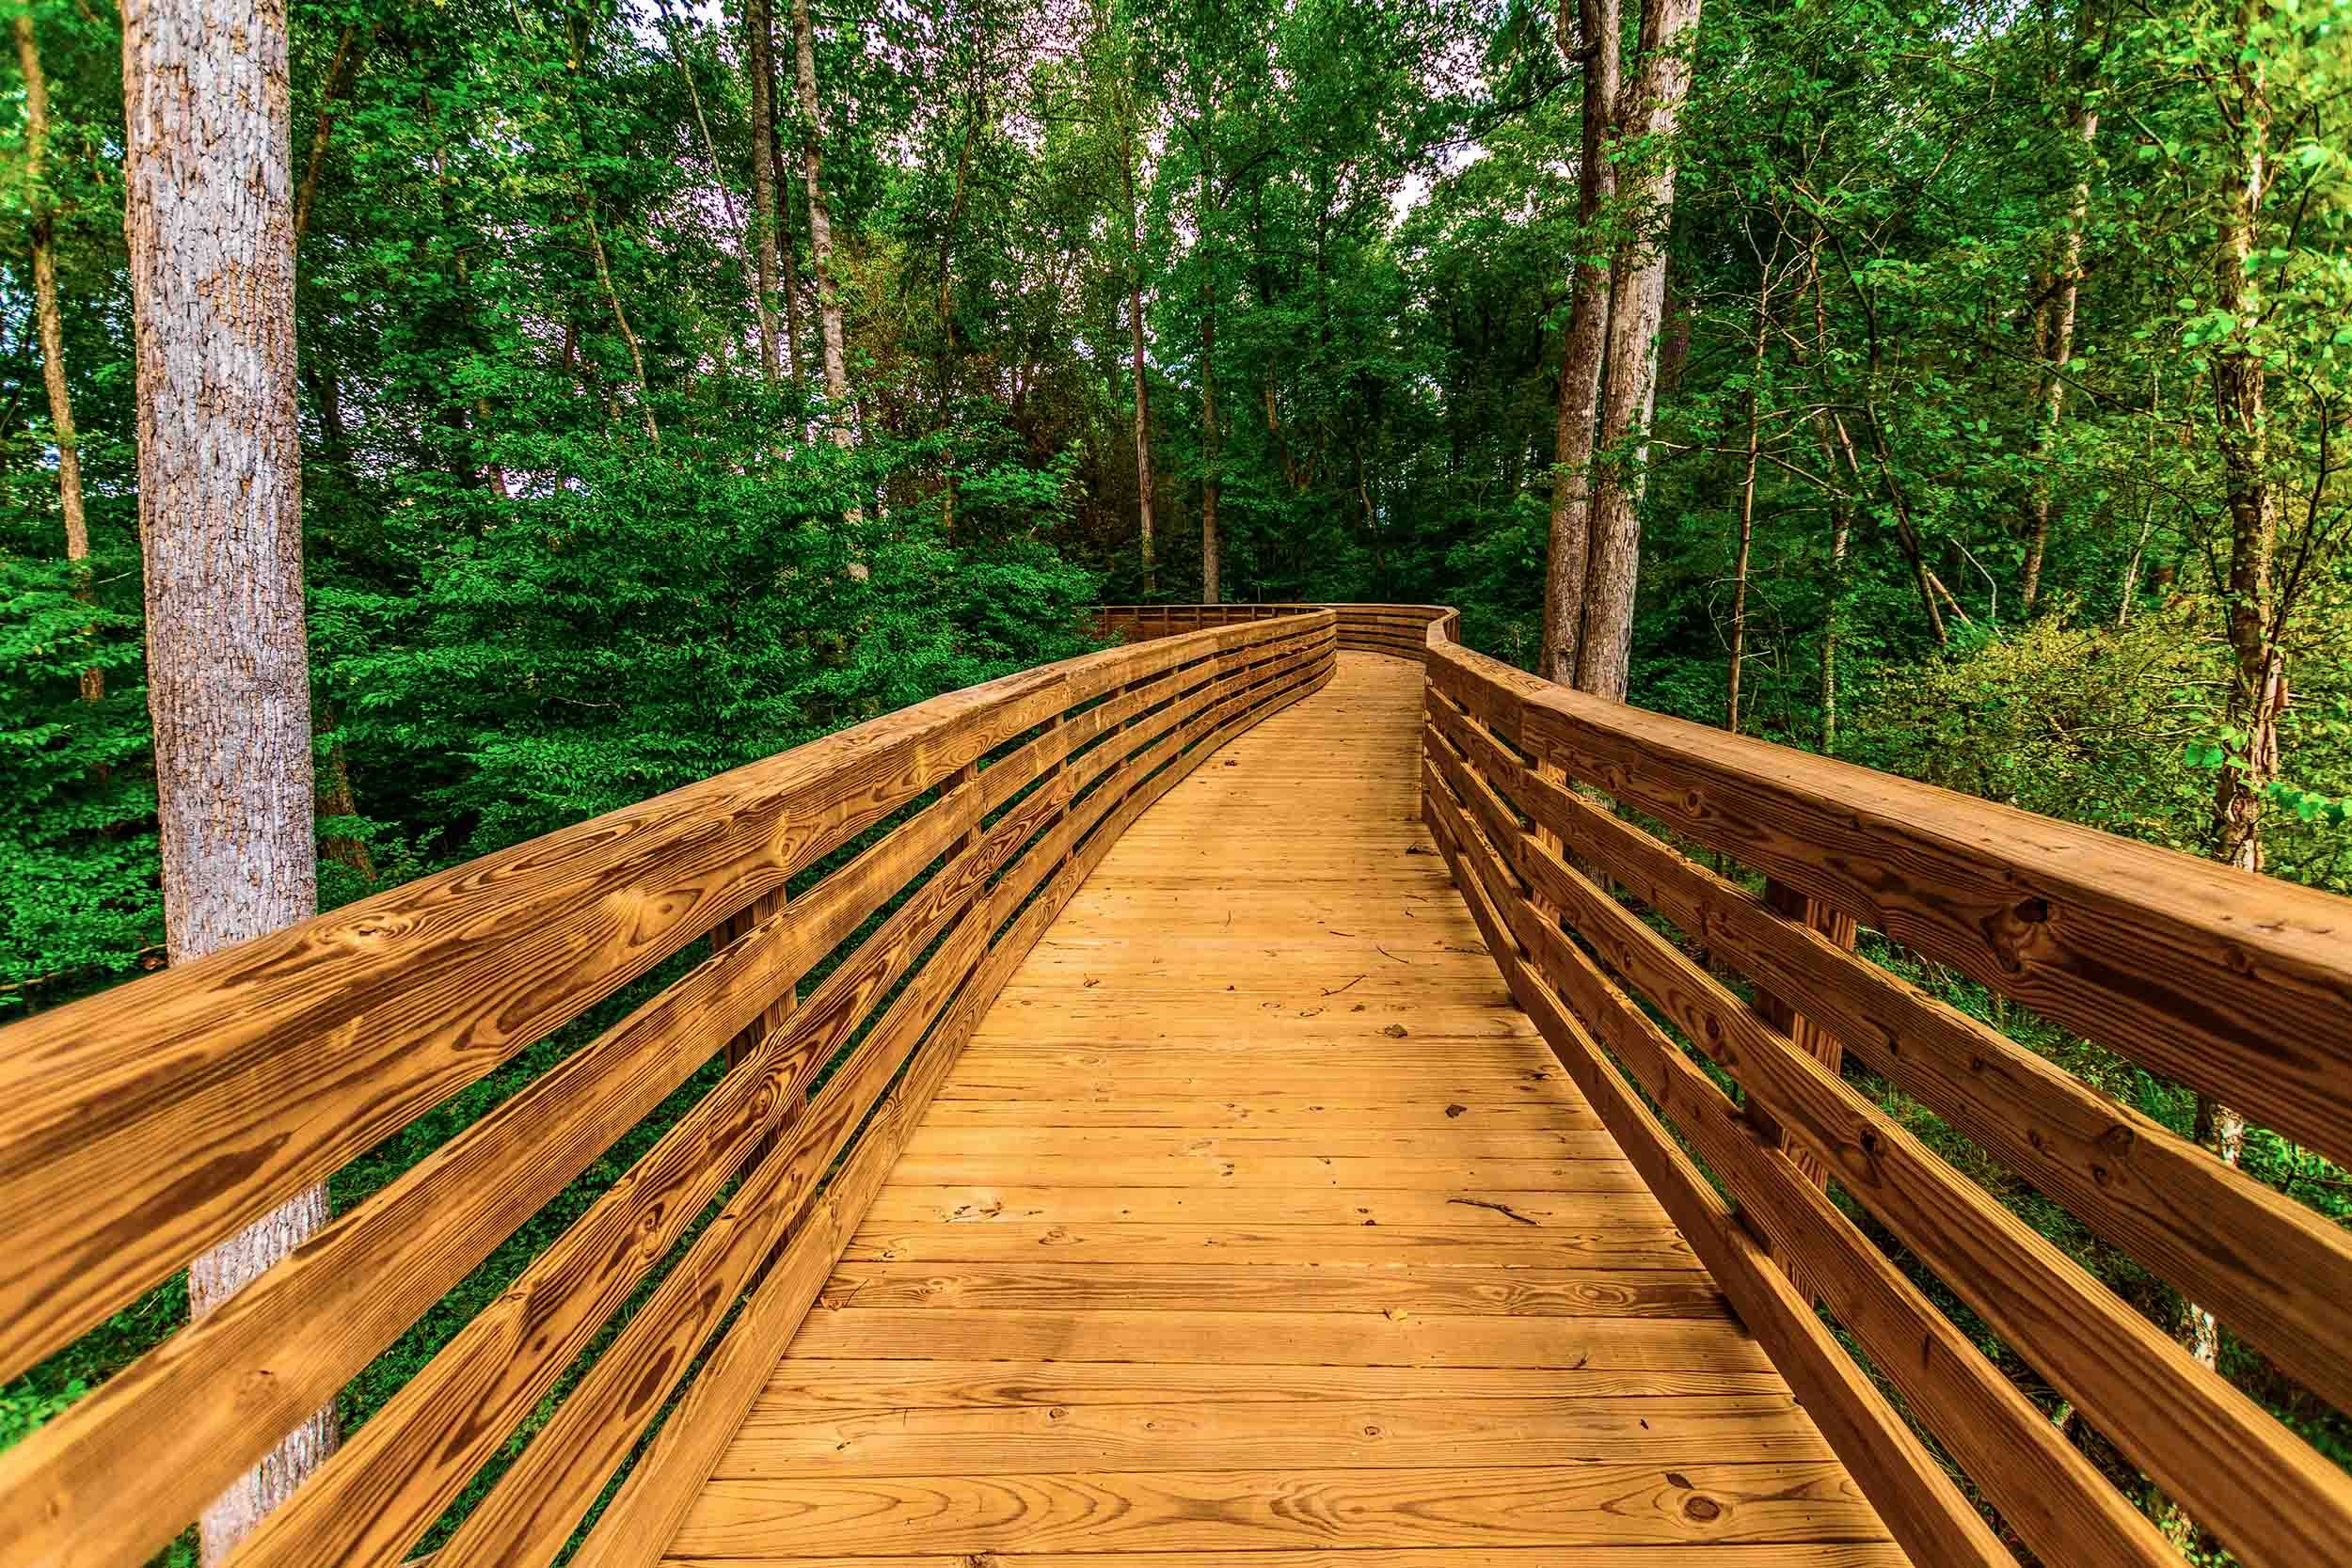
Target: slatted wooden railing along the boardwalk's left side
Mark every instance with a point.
(921, 855)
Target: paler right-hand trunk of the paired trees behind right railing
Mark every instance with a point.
(1631, 373)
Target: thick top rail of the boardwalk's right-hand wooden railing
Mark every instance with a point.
(2205, 974)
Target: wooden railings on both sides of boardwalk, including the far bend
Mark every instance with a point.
(916, 859)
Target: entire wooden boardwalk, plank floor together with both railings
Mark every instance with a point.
(1285, 1092)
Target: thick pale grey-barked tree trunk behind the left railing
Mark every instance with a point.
(211, 227)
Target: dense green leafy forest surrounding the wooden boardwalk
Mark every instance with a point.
(686, 384)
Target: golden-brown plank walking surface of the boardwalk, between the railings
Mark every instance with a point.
(1257, 1231)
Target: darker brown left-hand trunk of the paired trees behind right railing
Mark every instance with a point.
(1598, 25)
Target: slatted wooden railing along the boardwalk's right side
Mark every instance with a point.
(1624, 951)
